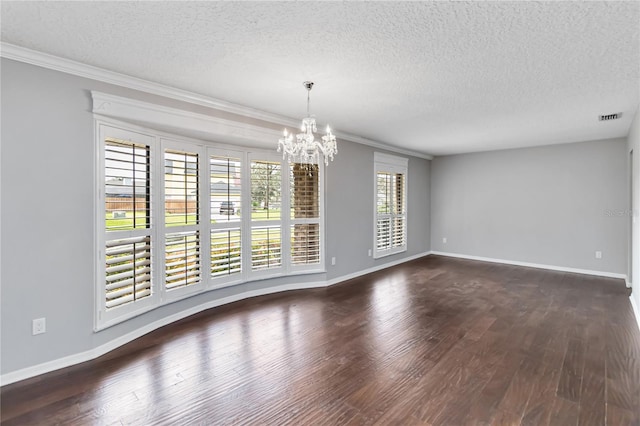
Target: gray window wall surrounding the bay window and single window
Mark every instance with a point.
(47, 221)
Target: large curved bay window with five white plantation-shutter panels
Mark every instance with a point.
(178, 217)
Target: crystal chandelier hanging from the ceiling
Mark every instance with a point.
(306, 148)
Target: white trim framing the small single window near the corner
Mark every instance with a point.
(393, 164)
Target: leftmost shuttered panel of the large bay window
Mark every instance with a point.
(126, 242)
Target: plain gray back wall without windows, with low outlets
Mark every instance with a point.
(553, 205)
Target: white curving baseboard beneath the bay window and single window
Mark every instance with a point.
(67, 361)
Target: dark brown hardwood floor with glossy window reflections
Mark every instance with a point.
(434, 341)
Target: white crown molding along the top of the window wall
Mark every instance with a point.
(56, 63)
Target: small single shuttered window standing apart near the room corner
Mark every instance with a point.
(390, 205)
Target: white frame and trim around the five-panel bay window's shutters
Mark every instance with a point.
(158, 141)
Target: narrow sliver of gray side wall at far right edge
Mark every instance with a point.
(634, 144)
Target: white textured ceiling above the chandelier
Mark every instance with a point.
(433, 77)
